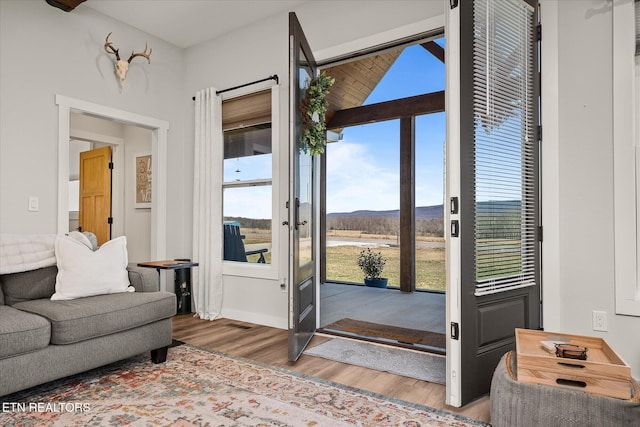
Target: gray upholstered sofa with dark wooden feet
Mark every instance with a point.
(43, 340)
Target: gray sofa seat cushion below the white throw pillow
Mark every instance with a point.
(84, 318)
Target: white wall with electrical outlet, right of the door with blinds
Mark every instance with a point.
(577, 170)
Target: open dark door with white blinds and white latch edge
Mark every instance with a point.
(493, 255)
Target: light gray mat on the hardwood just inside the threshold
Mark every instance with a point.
(413, 364)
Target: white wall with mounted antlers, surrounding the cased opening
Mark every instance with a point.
(45, 51)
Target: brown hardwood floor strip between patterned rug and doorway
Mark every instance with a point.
(269, 346)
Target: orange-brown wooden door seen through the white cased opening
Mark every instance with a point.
(95, 193)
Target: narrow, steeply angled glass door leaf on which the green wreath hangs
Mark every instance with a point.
(302, 215)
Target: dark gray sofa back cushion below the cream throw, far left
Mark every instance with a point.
(28, 285)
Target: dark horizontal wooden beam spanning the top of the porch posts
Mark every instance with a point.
(405, 107)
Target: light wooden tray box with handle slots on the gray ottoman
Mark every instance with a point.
(604, 373)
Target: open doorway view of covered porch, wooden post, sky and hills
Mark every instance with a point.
(383, 189)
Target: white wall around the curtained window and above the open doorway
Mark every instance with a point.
(332, 28)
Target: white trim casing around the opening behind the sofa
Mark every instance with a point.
(159, 130)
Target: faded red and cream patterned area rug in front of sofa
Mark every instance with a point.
(206, 388)
